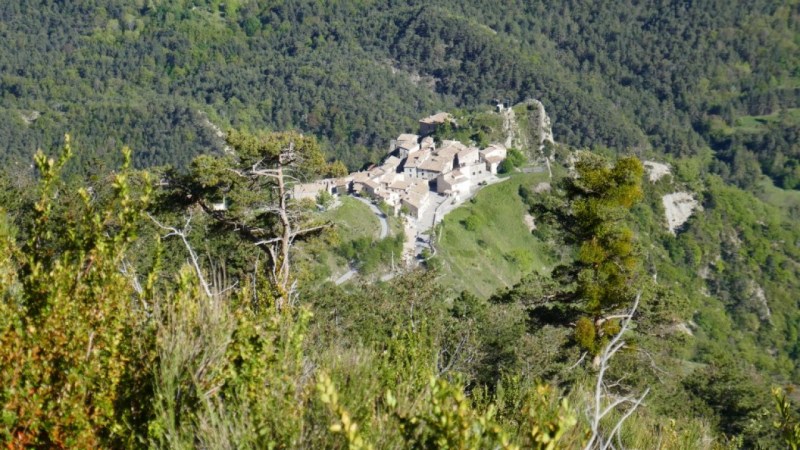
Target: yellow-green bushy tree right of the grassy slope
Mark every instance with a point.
(593, 214)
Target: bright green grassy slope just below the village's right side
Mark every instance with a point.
(485, 245)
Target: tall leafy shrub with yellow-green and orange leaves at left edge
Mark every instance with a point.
(66, 341)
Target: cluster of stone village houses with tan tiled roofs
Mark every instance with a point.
(414, 168)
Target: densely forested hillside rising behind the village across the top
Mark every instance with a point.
(669, 77)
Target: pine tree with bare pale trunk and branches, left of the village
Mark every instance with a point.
(248, 191)
